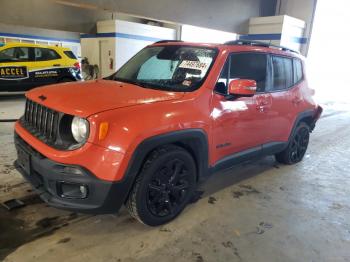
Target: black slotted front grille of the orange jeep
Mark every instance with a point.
(41, 121)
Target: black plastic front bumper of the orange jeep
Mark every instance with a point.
(48, 178)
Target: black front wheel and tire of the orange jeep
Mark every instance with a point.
(164, 186)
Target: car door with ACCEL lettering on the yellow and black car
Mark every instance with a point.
(14, 70)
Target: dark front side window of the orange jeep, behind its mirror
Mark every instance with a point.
(251, 66)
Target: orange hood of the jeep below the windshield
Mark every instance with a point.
(86, 98)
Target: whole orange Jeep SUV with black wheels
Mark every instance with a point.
(173, 114)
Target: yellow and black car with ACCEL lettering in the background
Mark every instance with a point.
(24, 66)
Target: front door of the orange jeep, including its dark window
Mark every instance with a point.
(241, 123)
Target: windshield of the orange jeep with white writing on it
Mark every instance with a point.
(171, 68)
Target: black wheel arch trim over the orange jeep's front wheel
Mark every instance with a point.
(194, 140)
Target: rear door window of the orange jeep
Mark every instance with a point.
(282, 72)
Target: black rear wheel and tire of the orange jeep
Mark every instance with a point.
(297, 146)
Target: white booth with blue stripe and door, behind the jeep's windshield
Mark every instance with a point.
(117, 41)
